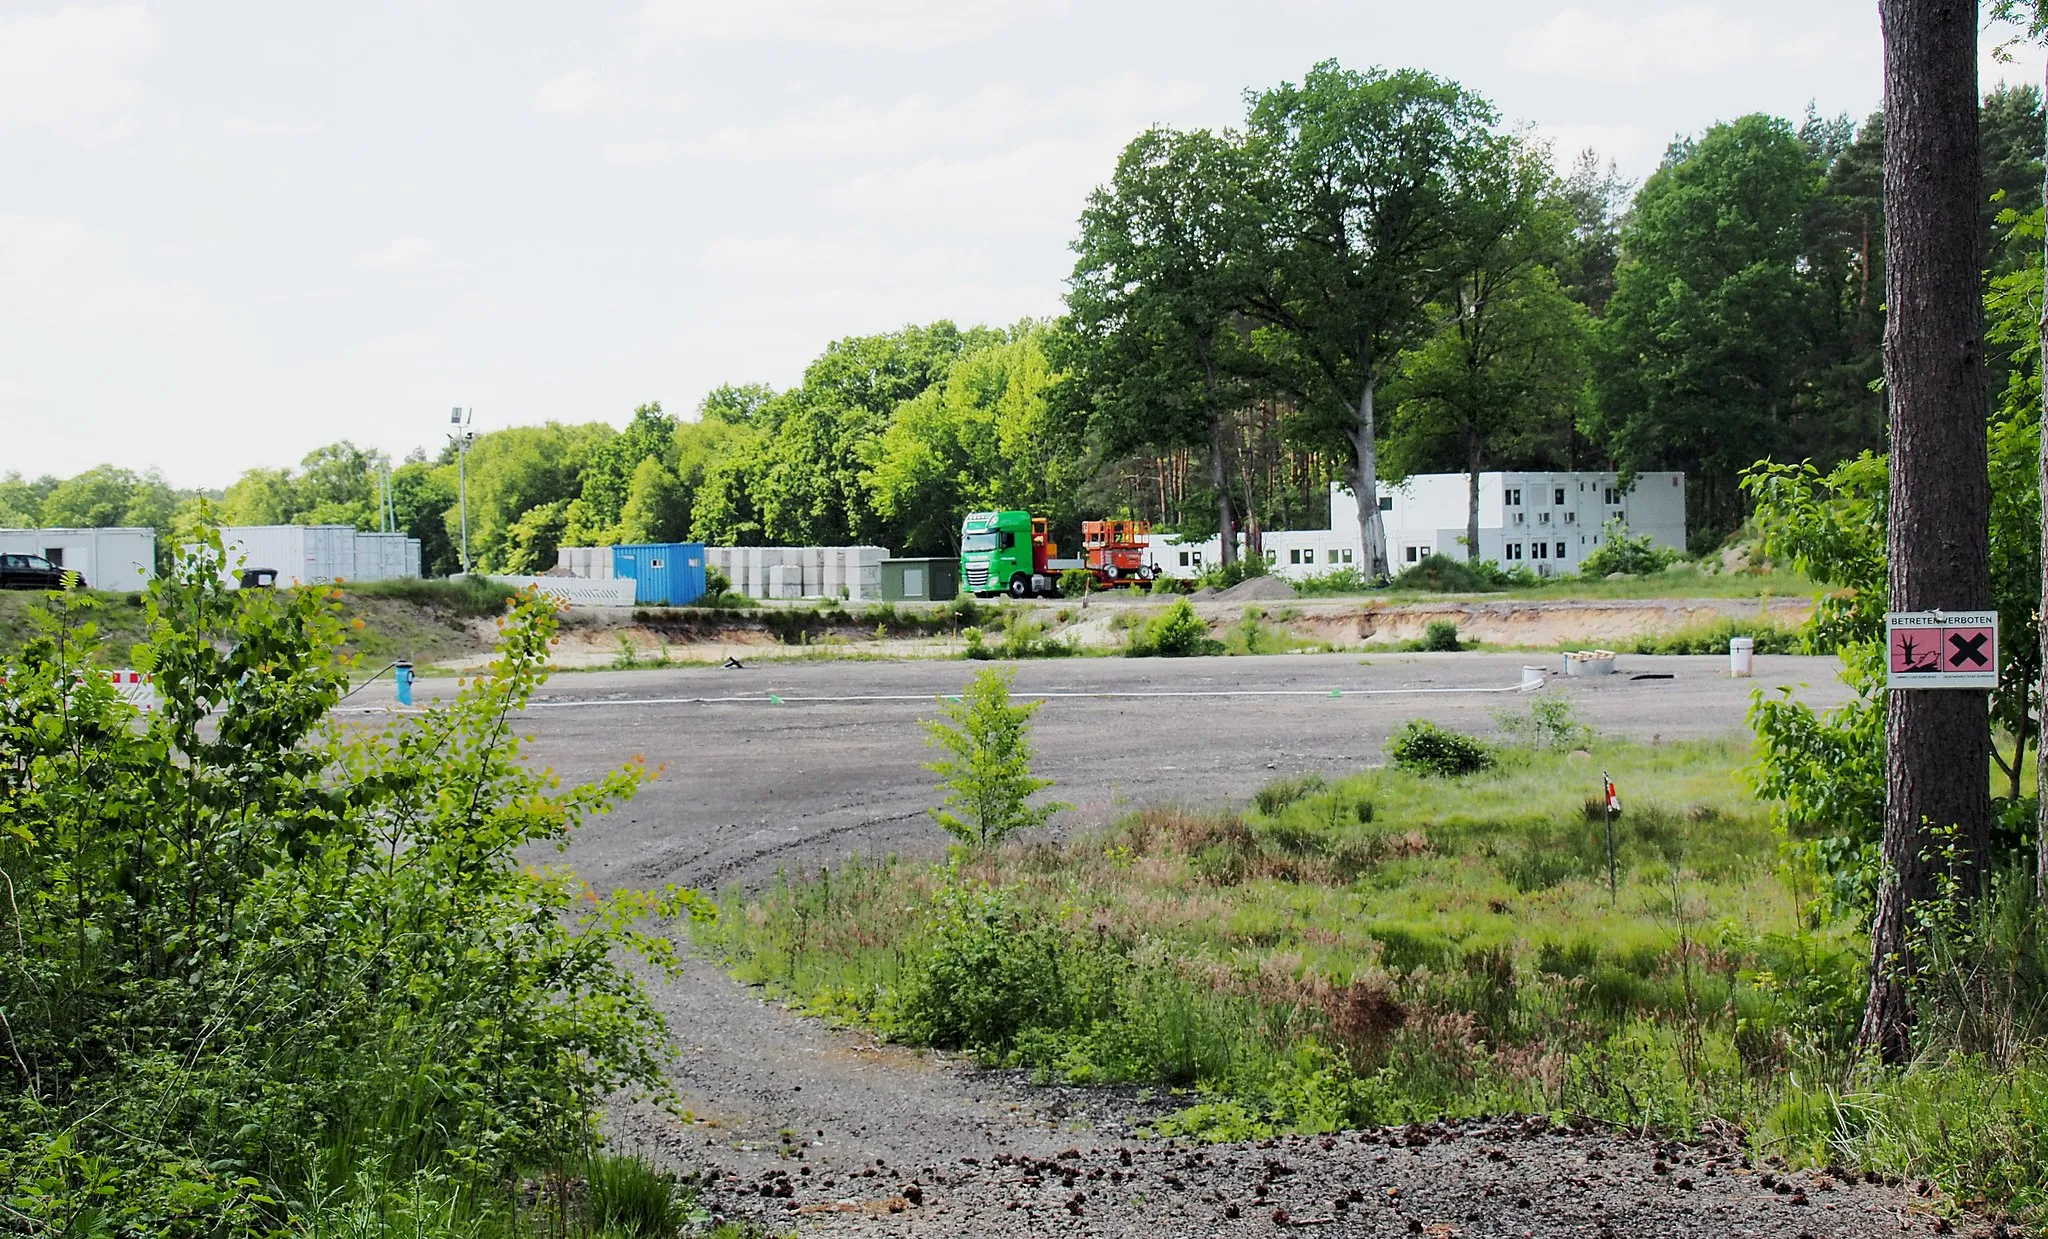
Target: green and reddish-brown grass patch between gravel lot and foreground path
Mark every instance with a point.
(1398, 947)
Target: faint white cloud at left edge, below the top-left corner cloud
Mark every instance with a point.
(58, 271)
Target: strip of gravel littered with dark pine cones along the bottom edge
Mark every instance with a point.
(1443, 1181)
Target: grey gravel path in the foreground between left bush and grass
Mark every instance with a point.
(818, 1131)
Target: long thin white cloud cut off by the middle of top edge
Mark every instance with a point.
(910, 26)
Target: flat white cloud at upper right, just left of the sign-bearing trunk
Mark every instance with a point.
(1680, 42)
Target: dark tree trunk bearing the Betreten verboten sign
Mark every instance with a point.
(1938, 742)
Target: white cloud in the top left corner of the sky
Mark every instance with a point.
(77, 71)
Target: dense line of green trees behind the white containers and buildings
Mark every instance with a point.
(1228, 306)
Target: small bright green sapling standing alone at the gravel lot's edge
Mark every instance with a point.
(986, 765)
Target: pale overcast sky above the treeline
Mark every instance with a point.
(232, 232)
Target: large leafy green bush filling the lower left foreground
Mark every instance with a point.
(245, 945)
